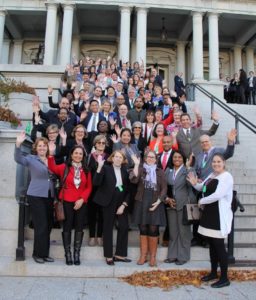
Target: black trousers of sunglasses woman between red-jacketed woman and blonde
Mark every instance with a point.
(95, 219)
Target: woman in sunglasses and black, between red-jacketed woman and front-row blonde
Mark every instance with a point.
(95, 217)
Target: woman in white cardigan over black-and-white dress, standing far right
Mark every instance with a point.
(216, 219)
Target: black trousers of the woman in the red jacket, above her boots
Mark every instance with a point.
(73, 217)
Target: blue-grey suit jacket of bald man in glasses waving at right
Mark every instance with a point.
(203, 171)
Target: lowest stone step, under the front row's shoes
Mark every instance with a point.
(87, 269)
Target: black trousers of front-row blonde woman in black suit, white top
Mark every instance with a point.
(109, 216)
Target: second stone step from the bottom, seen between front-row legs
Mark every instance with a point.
(241, 252)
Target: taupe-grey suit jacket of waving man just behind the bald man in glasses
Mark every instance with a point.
(186, 146)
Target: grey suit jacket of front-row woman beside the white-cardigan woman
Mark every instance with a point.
(181, 188)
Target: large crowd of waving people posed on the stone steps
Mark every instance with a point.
(127, 152)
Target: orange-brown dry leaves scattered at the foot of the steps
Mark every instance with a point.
(173, 278)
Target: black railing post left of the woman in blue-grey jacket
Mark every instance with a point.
(20, 250)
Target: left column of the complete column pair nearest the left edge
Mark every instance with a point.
(50, 33)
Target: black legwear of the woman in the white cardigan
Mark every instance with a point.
(218, 255)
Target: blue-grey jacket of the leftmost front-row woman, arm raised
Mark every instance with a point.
(40, 183)
